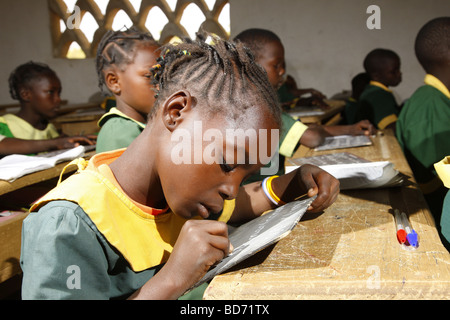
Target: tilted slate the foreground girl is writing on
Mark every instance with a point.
(258, 234)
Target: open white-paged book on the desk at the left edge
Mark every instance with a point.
(15, 166)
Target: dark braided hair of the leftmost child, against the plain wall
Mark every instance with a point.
(24, 74)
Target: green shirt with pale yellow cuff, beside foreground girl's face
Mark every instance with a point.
(290, 134)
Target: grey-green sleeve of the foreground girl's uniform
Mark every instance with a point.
(61, 257)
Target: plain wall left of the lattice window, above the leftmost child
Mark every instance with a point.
(24, 36)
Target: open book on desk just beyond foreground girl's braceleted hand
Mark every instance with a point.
(354, 172)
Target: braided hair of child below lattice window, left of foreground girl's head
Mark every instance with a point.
(118, 48)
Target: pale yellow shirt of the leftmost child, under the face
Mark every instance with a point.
(12, 126)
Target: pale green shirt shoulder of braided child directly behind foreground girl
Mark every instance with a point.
(117, 133)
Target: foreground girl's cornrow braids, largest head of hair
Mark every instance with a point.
(221, 74)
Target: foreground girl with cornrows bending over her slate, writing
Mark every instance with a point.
(135, 222)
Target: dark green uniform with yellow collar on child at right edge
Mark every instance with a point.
(423, 131)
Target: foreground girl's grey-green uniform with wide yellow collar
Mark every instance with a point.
(86, 239)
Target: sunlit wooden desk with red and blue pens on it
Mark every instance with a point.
(349, 251)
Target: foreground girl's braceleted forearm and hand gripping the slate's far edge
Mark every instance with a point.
(306, 180)
